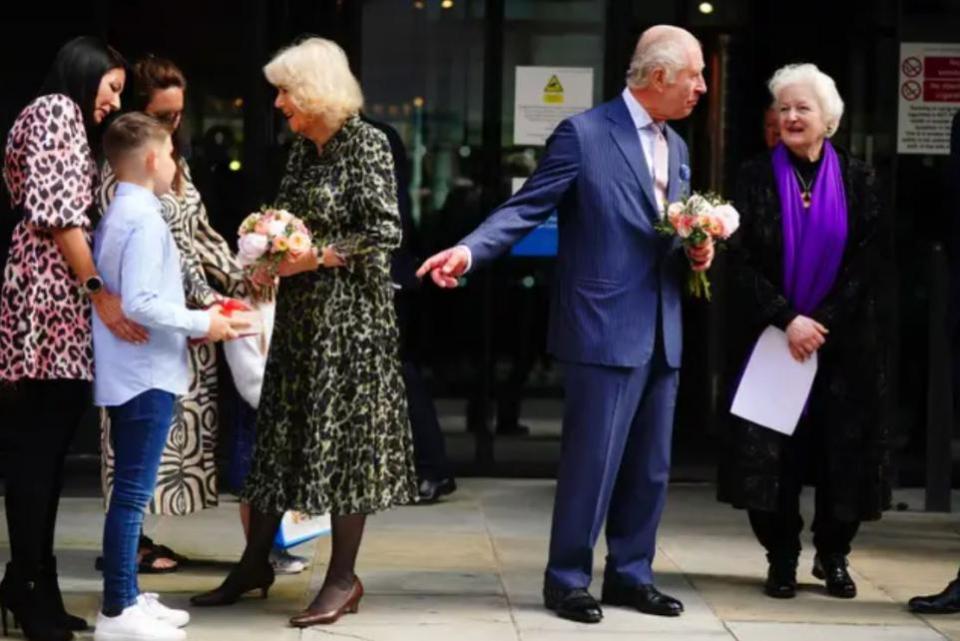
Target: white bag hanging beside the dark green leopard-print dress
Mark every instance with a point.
(247, 355)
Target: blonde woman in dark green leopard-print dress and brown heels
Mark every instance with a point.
(332, 429)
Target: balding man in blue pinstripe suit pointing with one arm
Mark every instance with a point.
(615, 318)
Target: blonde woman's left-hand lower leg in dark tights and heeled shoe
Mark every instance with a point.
(254, 572)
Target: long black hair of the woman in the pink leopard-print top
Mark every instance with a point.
(77, 71)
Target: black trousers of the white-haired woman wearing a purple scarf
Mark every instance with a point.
(779, 531)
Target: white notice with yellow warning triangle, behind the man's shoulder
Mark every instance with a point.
(545, 96)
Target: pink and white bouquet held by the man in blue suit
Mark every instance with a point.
(694, 220)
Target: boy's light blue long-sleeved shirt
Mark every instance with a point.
(137, 259)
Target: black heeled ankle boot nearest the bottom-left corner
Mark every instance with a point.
(22, 594)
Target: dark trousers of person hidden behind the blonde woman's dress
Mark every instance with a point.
(428, 443)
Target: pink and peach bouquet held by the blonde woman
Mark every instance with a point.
(266, 239)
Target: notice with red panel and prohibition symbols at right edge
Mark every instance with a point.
(929, 95)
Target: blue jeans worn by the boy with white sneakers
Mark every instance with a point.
(138, 429)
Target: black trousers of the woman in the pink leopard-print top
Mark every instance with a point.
(44, 416)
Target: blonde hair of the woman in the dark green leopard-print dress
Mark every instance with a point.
(316, 74)
